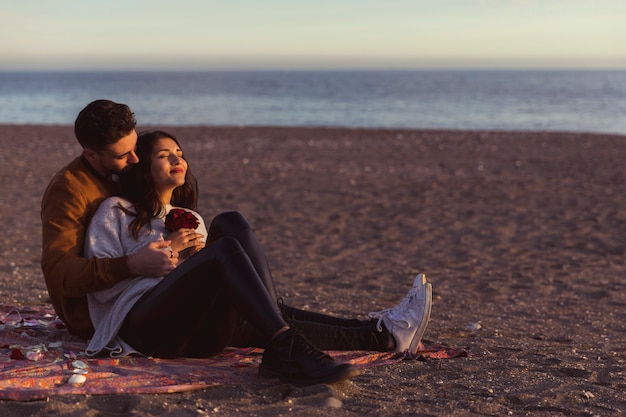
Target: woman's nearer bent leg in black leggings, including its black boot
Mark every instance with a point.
(193, 312)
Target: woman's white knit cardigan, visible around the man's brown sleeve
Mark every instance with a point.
(108, 237)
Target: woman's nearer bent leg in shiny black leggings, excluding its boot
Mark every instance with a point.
(193, 311)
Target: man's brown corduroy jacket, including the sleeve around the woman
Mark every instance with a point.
(68, 204)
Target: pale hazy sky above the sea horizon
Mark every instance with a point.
(314, 34)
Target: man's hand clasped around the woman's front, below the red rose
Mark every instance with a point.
(153, 260)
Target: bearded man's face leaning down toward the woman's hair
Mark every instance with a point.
(114, 158)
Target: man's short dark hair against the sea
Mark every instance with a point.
(103, 122)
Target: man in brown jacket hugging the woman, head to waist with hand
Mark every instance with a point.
(106, 132)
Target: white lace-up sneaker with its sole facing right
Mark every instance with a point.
(408, 320)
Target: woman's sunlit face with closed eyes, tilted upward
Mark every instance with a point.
(168, 166)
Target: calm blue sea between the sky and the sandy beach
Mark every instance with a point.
(591, 101)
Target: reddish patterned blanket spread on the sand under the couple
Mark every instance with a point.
(39, 359)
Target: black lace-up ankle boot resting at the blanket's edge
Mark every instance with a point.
(293, 359)
